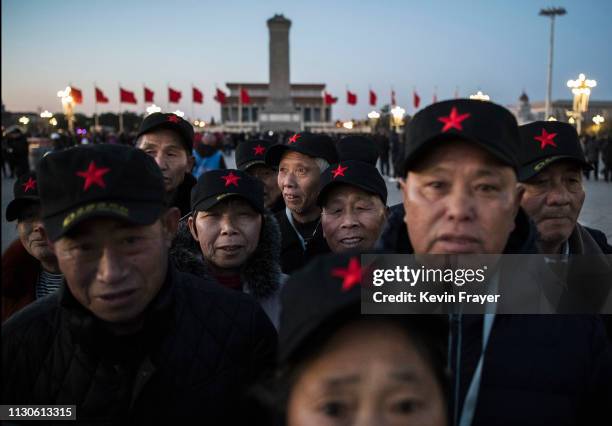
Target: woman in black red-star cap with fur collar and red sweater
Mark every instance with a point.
(231, 236)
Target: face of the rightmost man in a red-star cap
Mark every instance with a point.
(553, 199)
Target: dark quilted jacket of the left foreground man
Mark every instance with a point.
(200, 346)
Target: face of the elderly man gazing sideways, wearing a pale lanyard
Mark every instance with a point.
(298, 180)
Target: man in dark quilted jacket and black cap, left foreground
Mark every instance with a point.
(128, 338)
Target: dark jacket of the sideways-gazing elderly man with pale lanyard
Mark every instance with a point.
(293, 255)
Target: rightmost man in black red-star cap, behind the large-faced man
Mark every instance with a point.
(552, 165)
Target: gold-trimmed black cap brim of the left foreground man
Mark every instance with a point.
(137, 213)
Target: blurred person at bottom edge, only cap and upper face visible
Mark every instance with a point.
(339, 367)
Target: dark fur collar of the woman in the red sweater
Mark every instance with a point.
(261, 276)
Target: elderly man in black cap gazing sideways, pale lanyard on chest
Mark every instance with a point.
(300, 163)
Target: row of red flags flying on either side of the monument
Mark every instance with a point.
(197, 96)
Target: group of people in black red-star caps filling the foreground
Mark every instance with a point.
(152, 283)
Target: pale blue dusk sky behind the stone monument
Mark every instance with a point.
(500, 47)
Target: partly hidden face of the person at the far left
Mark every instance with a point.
(32, 233)
